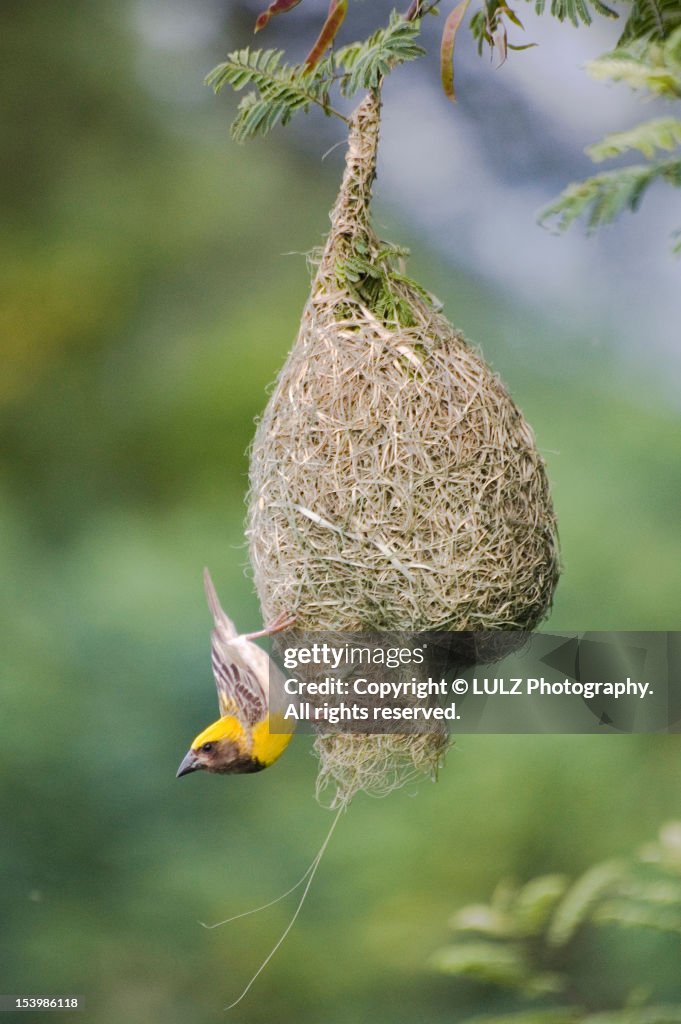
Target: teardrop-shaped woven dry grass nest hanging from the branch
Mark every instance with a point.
(395, 484)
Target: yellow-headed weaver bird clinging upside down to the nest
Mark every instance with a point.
(241, 740)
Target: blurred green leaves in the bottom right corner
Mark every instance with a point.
(530, 942)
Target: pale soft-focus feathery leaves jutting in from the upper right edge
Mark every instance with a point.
(656, 68)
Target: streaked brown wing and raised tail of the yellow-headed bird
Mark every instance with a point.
(240, 667)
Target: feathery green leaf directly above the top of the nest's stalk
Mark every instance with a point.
(365, 64)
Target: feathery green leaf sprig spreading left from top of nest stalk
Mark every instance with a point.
(283, 90)
